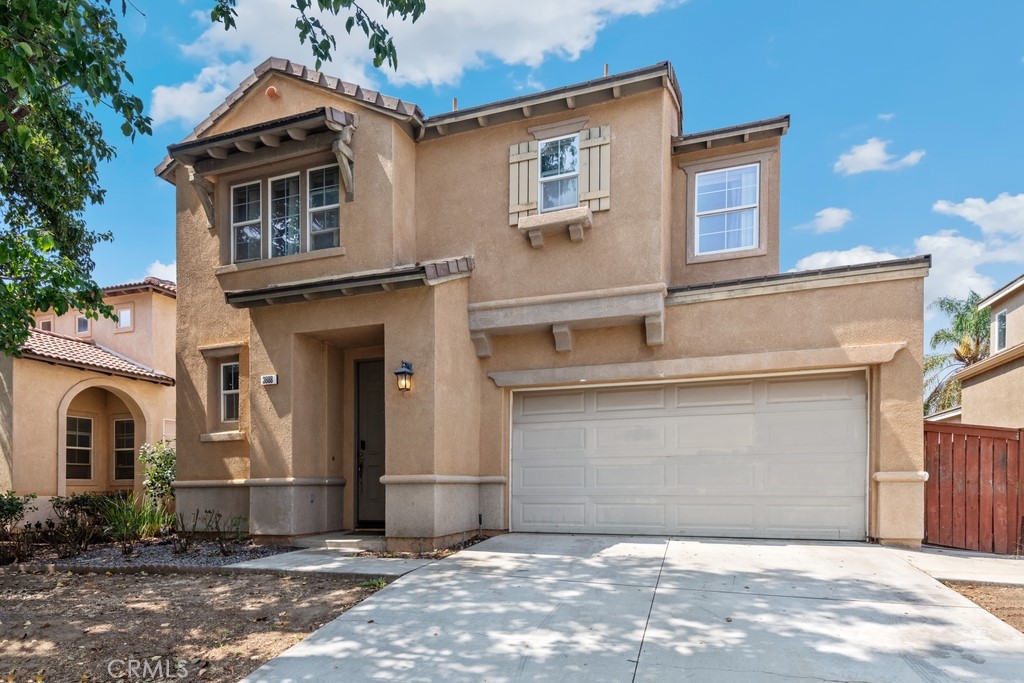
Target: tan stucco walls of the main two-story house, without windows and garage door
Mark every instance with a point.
(442, 266)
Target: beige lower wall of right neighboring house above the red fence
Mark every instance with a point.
(994, 398)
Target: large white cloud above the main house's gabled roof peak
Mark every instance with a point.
(451, 37)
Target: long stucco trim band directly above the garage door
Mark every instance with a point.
(771, 362)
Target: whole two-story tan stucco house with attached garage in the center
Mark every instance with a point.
(590, 303)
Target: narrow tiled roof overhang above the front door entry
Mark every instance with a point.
(420, 275)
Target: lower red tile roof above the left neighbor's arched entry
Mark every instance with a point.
(62, 351)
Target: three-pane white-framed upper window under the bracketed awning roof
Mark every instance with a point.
(303, 214)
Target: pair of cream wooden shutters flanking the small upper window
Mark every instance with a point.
(594, 166)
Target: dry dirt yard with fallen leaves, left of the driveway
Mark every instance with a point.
(208, 627)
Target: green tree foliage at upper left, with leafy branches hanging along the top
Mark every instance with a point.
(60, 61)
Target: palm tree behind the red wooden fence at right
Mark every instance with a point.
(968, 335)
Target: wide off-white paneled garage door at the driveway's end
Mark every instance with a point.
(783, 458)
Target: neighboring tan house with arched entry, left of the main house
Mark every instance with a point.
(87, 394)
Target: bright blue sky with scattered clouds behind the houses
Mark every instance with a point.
(906, 137)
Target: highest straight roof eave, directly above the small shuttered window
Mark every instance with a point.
(558, 101)
